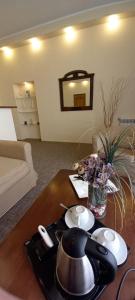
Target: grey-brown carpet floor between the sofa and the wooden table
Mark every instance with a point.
(48, 159)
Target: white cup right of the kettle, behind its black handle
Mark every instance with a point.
(109, 239)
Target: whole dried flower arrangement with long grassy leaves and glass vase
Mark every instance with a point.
(96, 169)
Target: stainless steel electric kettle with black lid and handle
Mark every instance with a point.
(82, 263)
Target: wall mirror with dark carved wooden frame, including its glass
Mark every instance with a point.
(76, 91)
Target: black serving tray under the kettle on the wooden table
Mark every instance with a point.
(43, 261)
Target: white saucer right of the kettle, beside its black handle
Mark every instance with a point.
(121, 256)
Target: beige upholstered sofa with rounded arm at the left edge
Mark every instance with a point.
(17, 175)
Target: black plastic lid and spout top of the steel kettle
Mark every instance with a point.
(74, 241)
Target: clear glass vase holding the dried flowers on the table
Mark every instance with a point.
(97, 200)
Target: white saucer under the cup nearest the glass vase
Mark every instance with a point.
(69, 222)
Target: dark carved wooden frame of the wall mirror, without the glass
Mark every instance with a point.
(74, 75)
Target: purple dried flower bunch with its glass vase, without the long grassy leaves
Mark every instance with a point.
(96, 172)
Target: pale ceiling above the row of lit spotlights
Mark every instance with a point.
(20, 19)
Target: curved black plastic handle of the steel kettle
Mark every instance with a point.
(102, 254)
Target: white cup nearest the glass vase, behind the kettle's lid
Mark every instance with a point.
(79, 215)
